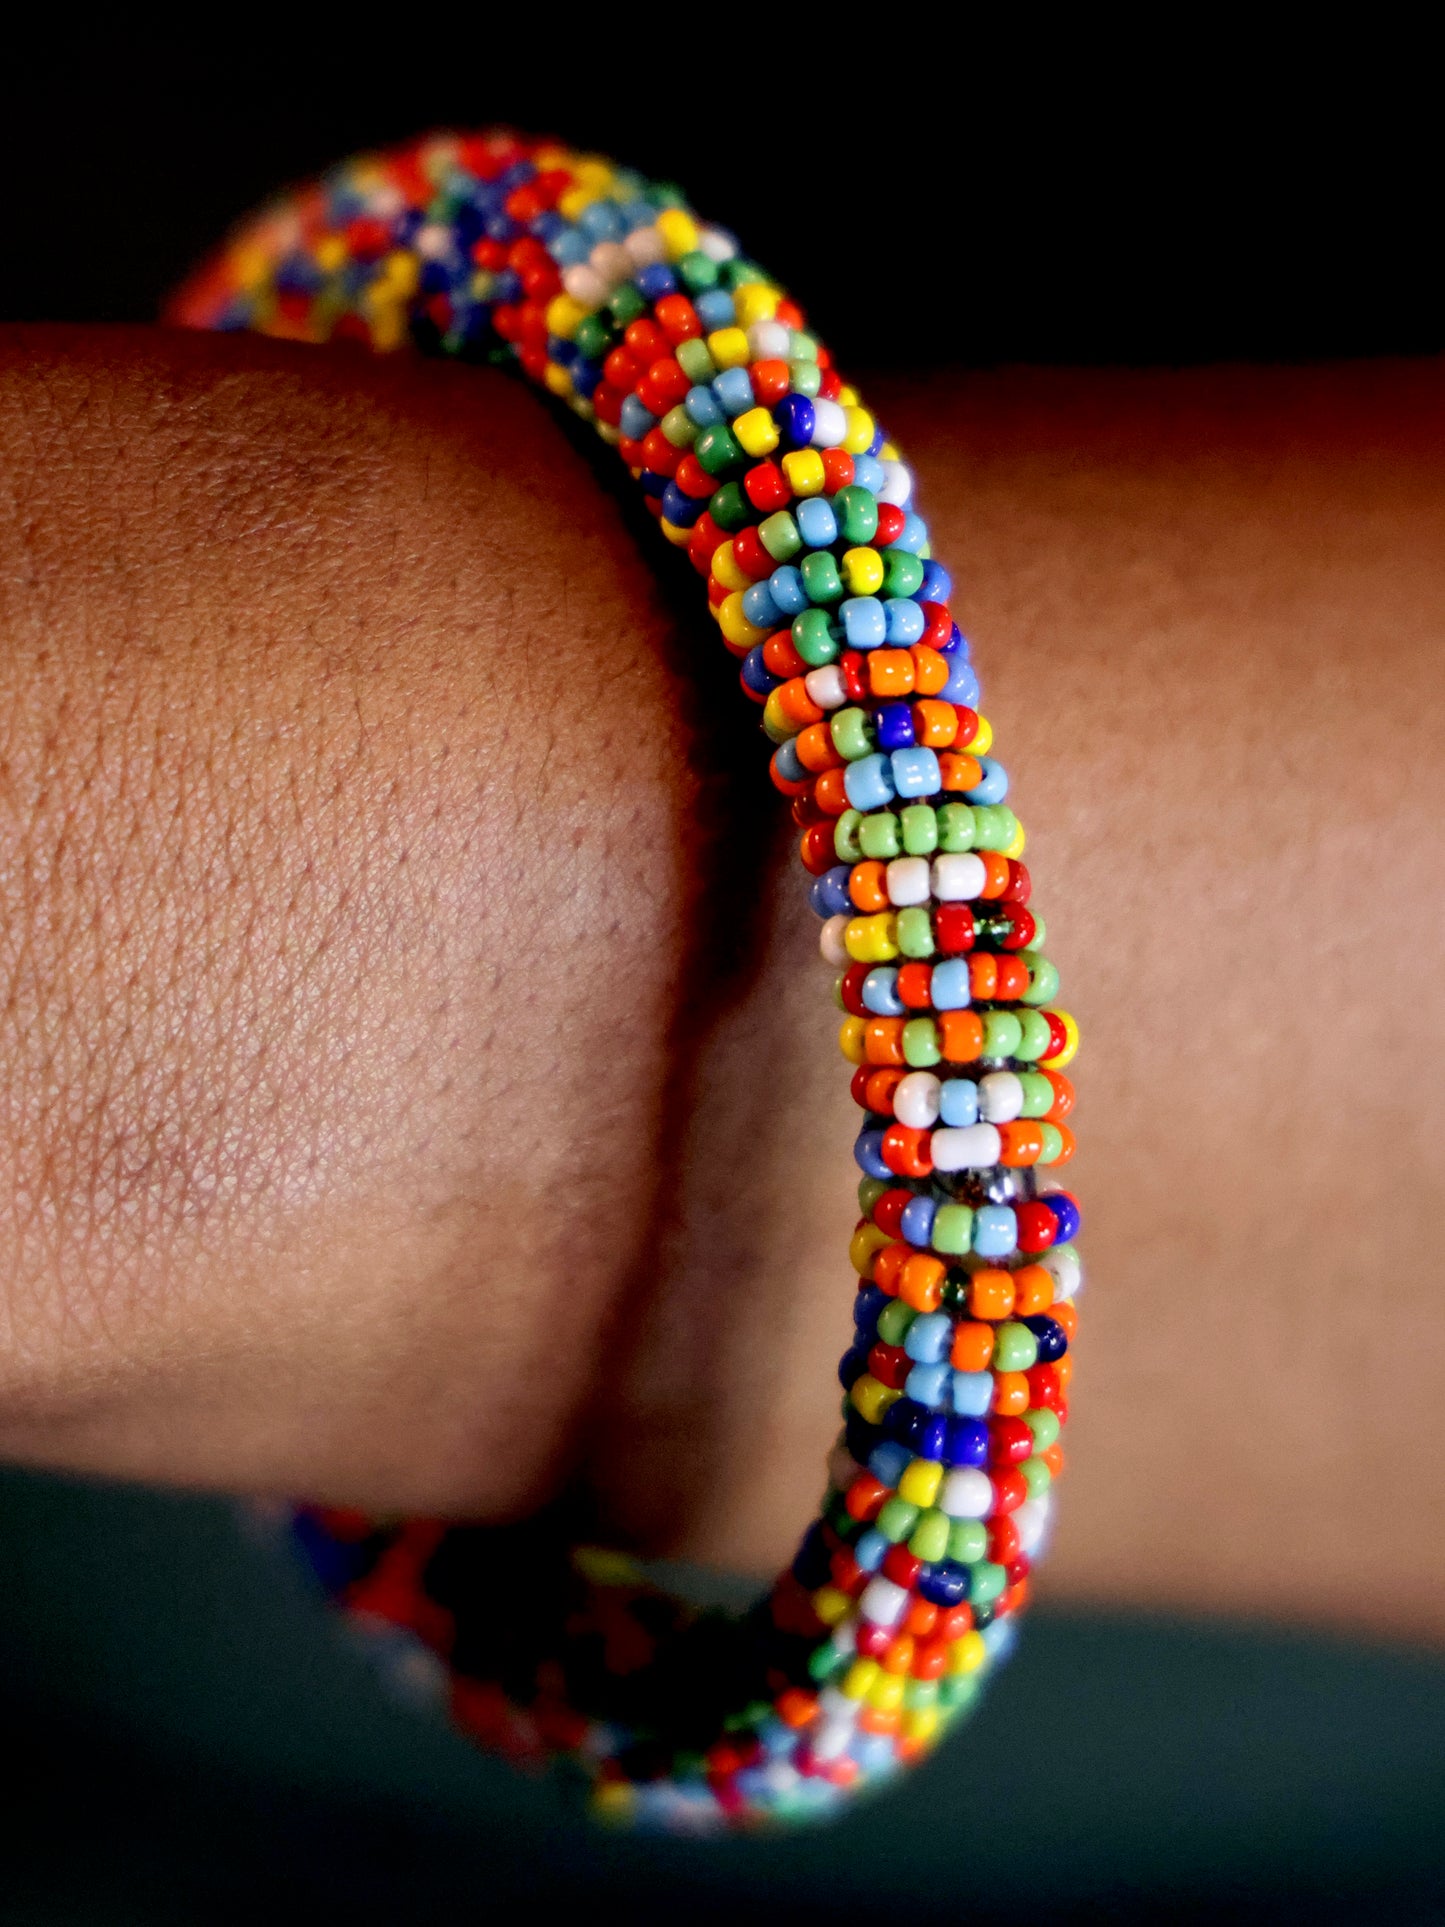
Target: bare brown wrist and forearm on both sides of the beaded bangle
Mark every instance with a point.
(415, 1097)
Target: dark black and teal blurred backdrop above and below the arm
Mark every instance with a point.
(192, 1741)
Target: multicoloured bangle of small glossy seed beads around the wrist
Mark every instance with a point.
(764, 465)
